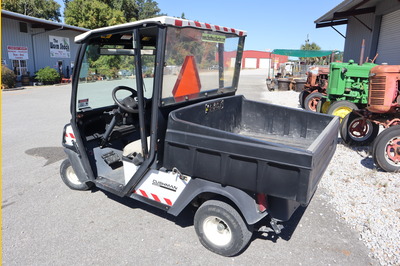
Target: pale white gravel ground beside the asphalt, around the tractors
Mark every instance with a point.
(363, 196)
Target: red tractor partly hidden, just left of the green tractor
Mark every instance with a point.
(315, 87)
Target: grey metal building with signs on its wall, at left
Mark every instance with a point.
(29, 44)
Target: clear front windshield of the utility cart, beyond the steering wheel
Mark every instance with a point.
(109, 63)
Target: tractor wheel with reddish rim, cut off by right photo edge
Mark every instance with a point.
(386, 151)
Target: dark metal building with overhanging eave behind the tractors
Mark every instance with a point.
(375, 21)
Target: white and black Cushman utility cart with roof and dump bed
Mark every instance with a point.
(154, 120)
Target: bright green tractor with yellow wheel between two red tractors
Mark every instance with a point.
(347, 88)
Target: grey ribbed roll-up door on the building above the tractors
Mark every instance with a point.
(389, 39)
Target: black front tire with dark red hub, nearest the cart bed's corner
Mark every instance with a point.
(354, 131)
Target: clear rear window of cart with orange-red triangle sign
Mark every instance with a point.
(198, 63)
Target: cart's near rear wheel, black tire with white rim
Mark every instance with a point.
(221, 229)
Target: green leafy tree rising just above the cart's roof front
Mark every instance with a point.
(92, 14)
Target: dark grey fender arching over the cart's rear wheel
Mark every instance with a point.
(245, 202)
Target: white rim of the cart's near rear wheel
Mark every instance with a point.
(217, 231)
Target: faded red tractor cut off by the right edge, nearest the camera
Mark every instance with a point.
(361, 127)
